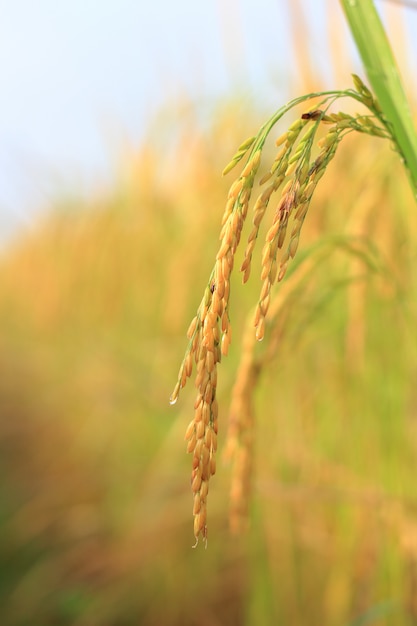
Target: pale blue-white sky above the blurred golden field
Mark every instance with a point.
(78, 76)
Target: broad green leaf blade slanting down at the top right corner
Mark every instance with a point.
(383, 75)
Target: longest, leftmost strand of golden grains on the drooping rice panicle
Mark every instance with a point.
(209, 337)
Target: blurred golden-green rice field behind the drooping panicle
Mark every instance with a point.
(95, 505)
